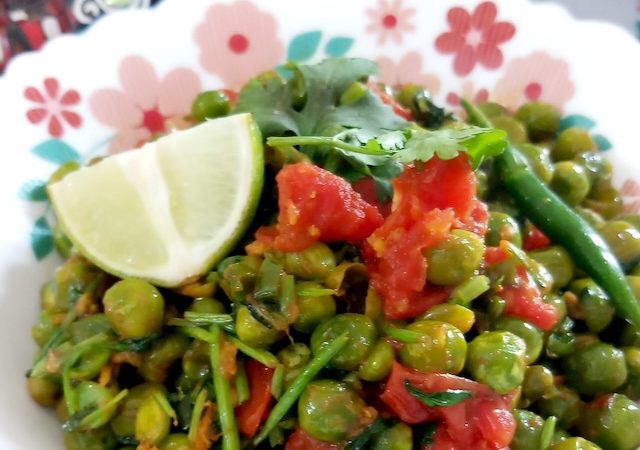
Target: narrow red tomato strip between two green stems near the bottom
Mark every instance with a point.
(251, 413)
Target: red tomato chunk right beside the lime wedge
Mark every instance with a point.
(316, 205)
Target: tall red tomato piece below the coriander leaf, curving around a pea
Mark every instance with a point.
(428, 202)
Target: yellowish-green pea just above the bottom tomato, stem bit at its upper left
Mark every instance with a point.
(443, 348)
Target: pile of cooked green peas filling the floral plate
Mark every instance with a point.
(120, 362)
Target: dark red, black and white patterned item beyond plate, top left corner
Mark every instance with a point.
(27, 24)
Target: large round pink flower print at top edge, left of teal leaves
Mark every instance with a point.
(238, 41)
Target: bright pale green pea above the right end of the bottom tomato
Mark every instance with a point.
(498, 359)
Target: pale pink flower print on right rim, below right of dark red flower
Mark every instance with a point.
(537, 76)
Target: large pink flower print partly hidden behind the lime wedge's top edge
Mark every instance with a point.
(146, 105)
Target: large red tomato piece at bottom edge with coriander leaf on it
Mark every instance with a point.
(481, 422)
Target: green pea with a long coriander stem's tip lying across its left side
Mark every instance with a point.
(362, 336)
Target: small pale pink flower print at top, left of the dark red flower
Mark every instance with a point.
(390, 20)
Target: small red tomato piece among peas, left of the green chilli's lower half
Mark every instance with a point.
(523, 299)
